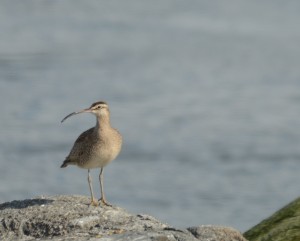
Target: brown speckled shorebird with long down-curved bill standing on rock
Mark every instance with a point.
(96, 147)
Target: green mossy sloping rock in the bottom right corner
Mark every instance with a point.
(284, 225)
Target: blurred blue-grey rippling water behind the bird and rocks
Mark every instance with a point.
(206, 95)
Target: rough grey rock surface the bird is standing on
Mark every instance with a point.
(72, 218)
